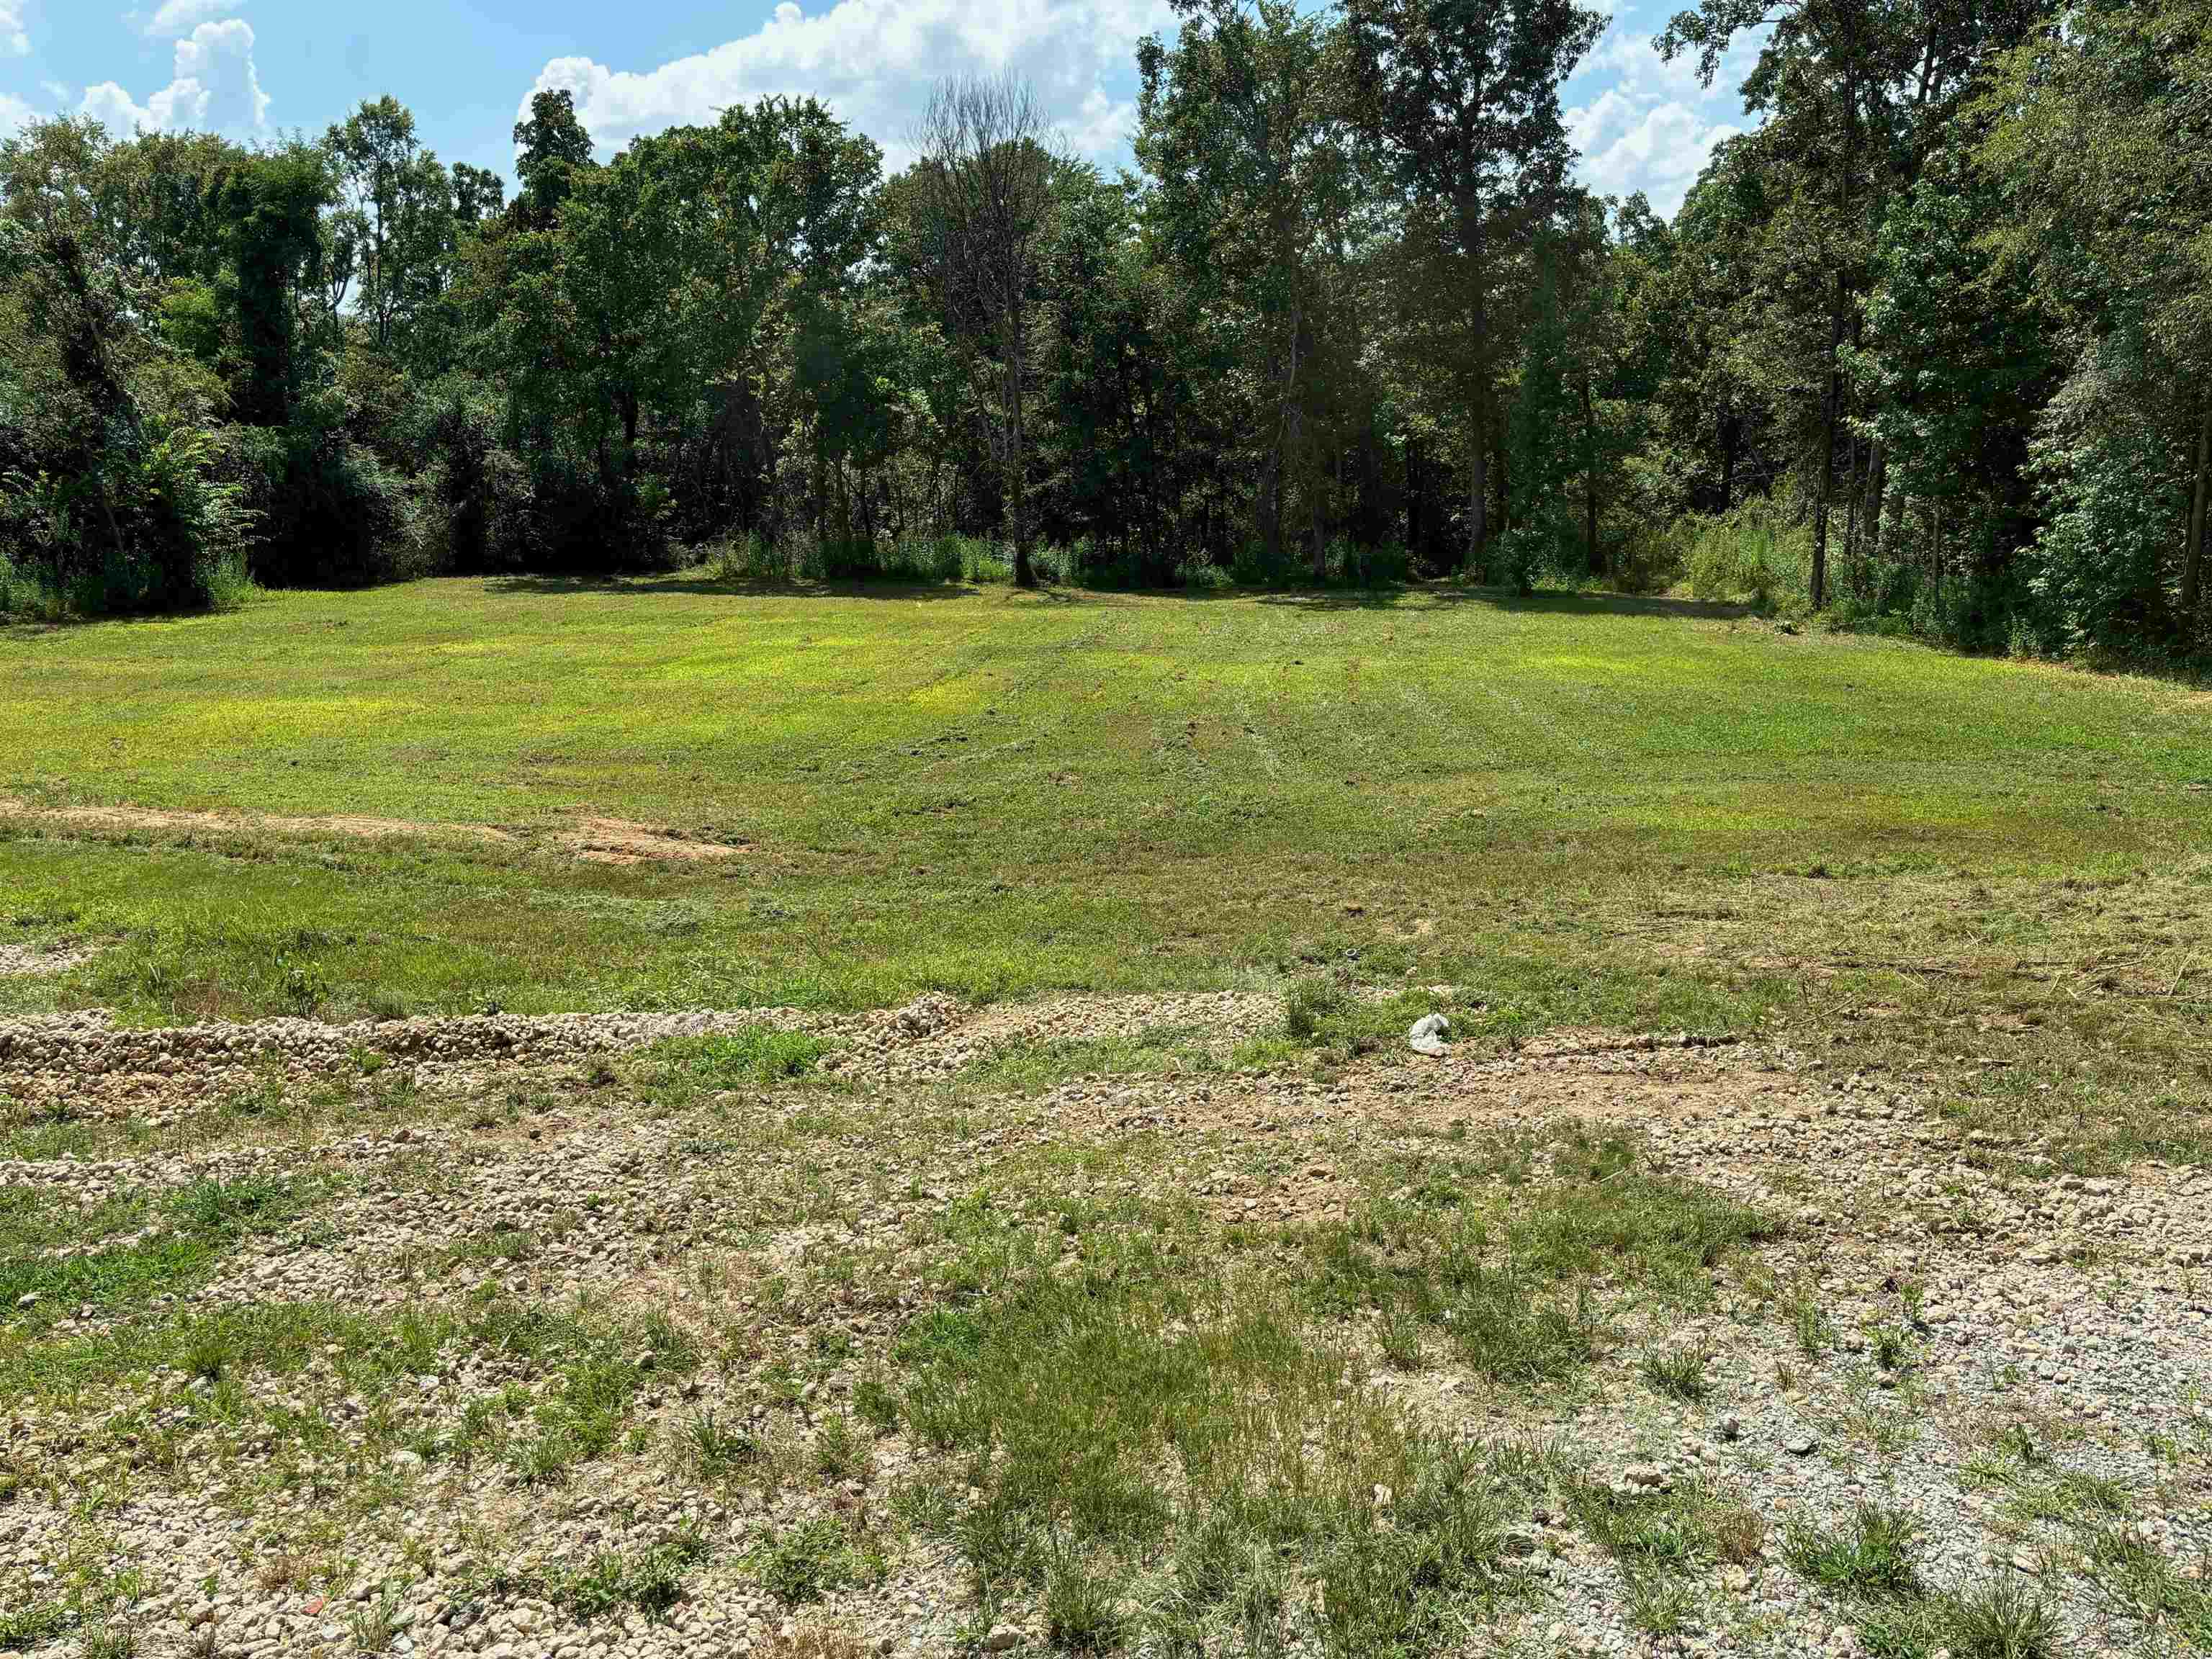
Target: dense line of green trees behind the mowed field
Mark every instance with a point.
(1928, 348)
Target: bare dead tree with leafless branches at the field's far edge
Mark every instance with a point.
(985, 169)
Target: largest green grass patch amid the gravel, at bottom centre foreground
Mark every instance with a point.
(1165, 1448)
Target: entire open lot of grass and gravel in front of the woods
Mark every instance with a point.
(674, 1120)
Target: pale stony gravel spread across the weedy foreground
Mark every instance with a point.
(2072, 1308)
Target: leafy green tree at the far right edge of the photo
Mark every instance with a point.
(2100, 145)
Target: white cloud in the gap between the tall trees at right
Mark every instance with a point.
(1649, 125)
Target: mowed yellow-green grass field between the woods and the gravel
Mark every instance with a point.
(1589, 813)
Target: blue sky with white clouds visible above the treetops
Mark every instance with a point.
(466, 67)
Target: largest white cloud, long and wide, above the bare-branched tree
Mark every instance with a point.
(875, 61)
